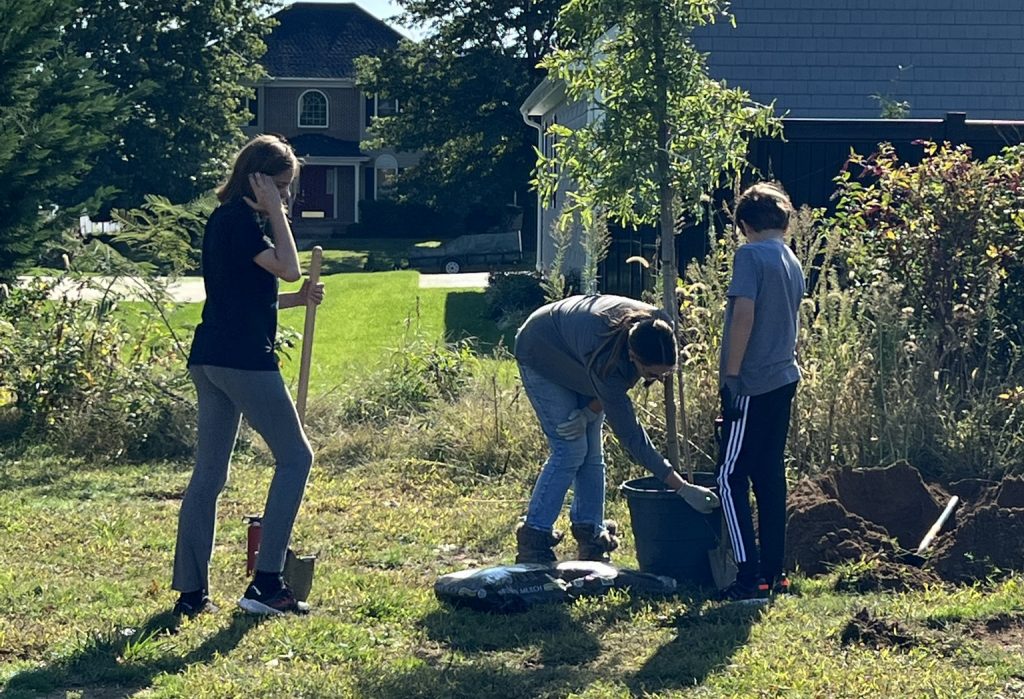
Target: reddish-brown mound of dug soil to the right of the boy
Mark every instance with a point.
(854, 515)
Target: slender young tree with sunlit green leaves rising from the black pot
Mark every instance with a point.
(665, 133)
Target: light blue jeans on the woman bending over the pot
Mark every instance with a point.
(579, 463)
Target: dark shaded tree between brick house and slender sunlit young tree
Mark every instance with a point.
(460, 91)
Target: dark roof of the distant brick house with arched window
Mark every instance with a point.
(322, 40)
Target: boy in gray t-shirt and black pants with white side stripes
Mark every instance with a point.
(759, 376)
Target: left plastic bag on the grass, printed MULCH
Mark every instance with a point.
(502, 589)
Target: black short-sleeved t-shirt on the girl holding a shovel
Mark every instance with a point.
(240, 317)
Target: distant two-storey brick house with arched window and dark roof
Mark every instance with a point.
(310, 97)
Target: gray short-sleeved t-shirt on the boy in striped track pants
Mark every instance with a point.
(769, 273)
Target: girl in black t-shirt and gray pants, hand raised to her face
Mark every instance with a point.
(236, 373)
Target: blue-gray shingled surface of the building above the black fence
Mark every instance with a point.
(837, 59)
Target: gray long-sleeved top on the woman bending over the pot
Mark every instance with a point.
(568, 342)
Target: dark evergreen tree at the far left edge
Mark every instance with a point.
(56, 115)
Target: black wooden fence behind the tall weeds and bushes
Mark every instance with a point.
(806, 163)
